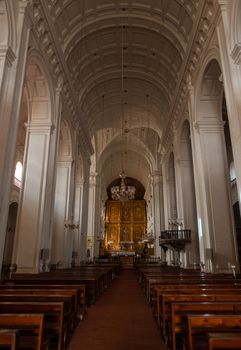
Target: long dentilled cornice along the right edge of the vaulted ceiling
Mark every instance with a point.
(203, 33)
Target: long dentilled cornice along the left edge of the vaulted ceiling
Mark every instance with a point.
(45, 32)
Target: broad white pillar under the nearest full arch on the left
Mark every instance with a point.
(33, 199)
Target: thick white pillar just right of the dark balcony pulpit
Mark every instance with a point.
(216, 234)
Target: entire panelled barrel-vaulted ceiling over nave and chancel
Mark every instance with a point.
(125, 61)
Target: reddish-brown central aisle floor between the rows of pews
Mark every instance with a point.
(120, 320)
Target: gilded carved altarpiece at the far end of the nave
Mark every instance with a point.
(125, 224)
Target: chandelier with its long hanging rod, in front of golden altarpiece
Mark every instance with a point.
(123, 192)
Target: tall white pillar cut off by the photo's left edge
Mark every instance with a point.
(12, 70)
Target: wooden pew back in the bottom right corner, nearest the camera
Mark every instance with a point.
(224, 341)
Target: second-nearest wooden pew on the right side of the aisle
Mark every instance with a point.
(198, 326)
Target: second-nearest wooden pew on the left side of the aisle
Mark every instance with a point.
(30, 329)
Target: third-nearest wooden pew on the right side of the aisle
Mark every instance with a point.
(180, 310)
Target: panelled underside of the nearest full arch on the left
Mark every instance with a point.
(39, 89)
